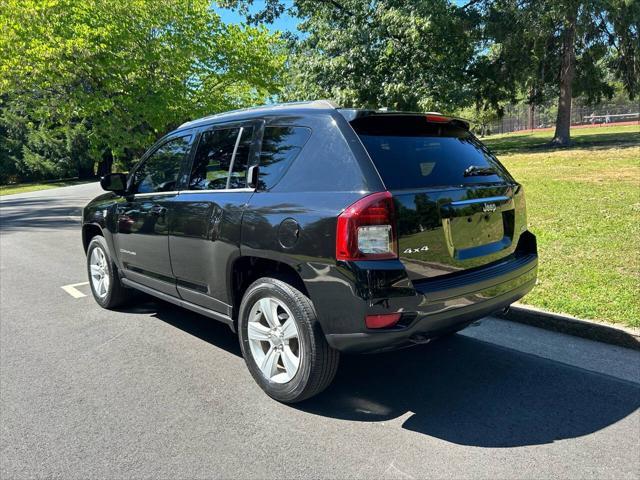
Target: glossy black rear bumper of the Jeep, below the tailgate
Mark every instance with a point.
(436, 307)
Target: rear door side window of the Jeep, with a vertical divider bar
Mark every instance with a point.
(213, 159)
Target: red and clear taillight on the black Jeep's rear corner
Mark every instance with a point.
(367, 229)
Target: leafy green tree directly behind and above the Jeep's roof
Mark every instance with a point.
(392, 53)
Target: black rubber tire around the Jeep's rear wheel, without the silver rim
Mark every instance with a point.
(318, 361)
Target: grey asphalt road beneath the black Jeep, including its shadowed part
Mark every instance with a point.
(158, 392)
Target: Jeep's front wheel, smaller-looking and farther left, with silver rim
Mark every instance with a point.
(103, 275)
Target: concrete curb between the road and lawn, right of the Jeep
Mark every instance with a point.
(600, 332)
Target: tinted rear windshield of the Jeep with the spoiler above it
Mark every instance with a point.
(410, 152)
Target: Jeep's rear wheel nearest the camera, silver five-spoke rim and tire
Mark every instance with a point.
(282, 342)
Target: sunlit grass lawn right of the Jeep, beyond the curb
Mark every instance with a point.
(583, 204)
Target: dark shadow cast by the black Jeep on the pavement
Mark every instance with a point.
(461, 390)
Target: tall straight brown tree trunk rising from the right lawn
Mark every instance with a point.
(567, 73)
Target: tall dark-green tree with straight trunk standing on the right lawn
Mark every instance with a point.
(568, 48)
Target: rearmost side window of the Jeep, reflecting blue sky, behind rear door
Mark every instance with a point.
(280, 146)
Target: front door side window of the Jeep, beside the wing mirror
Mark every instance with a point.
(159, 172)
